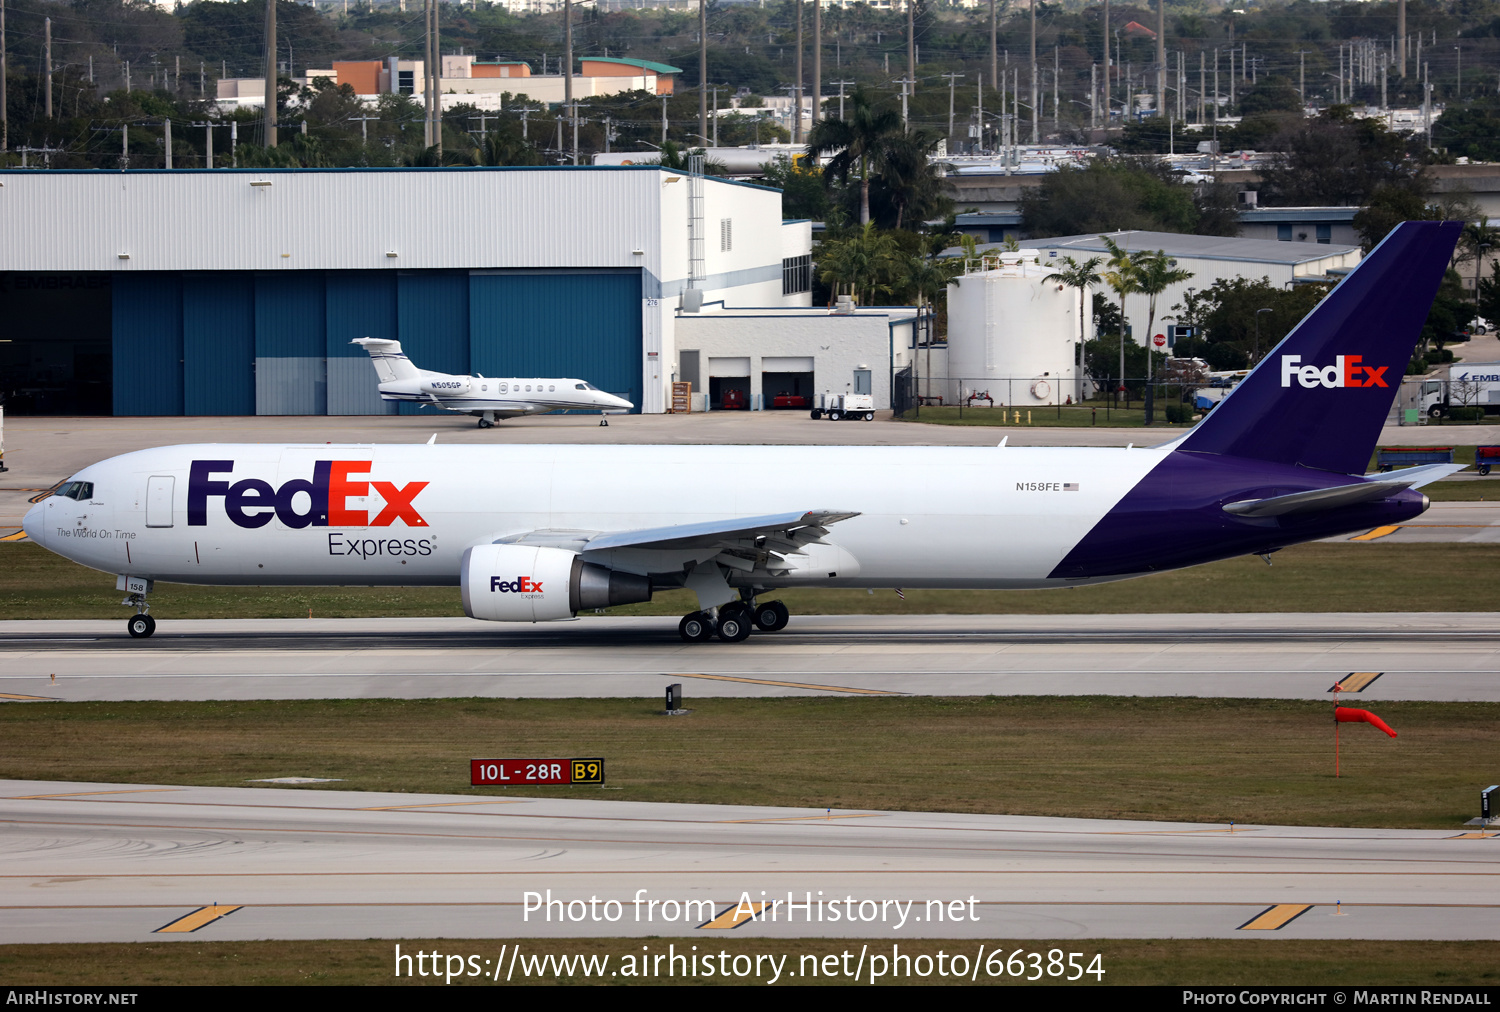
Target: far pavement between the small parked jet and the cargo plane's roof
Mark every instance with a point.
(43, 452)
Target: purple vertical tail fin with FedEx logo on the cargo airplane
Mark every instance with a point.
(1321, 398)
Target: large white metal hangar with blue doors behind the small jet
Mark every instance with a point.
(238, 292)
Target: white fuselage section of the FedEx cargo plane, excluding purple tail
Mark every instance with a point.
(929, 516)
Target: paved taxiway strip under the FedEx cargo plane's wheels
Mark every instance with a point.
(1420, 656)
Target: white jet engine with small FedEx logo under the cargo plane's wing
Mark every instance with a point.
(524, 584)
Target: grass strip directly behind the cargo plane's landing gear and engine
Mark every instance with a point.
(1310, 578)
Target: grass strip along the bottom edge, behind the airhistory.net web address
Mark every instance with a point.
(1126, 962)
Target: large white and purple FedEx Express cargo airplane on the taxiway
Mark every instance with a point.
(538, 533)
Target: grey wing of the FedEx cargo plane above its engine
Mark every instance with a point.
(779, 533)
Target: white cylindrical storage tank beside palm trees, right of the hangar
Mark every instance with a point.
(1012, 335)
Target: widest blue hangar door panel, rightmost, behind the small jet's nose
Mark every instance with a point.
(581, 325)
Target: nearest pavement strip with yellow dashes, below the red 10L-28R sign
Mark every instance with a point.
(121, 863)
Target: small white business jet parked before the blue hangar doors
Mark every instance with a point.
(485, 398)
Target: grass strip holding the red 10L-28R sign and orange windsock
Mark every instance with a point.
(1204, 761)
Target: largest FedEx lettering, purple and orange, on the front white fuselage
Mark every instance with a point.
(253, 503)
